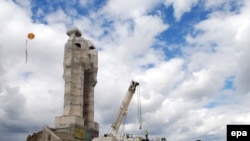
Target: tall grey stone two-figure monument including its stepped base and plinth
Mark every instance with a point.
(80, 71)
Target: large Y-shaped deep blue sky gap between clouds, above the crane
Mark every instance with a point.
(173, 39)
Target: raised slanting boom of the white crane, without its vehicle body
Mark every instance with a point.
(124, 107)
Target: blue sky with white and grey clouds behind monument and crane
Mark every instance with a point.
(191, 58)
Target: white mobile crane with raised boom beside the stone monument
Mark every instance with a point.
(122, 113)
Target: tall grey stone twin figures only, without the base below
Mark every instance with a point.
(80, 72)
